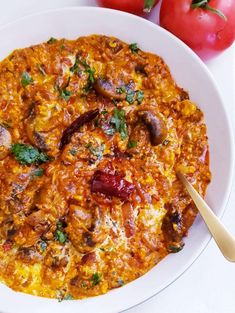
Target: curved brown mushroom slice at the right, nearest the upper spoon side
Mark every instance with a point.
(156, 127)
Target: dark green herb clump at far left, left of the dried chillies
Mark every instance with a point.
(26, 154)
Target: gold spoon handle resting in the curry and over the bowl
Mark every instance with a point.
(223, 238)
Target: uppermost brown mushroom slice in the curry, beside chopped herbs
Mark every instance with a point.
(107, 89)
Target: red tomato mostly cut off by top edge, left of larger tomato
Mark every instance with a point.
(131, 6)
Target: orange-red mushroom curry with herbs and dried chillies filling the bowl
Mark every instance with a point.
(92, 132)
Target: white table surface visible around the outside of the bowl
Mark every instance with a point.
(208, 286)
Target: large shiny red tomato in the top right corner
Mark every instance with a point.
(201, 28)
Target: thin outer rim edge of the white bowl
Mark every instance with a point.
(231, 181)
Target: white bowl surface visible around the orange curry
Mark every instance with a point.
(191, 74)
